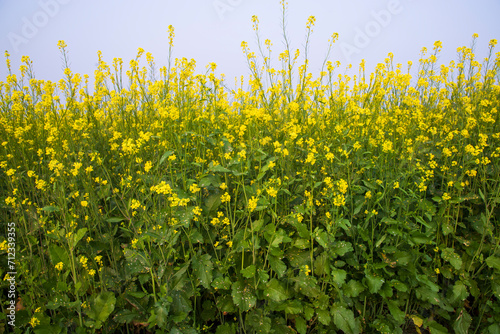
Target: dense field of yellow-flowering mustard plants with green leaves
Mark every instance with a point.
(161, 201)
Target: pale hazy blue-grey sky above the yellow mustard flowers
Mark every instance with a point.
(212, 31)
